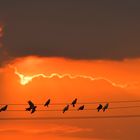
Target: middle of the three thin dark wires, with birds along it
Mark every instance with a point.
(111, 108)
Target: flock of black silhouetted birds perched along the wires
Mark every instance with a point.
(32, 107)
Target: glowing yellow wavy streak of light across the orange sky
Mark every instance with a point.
(24, 80)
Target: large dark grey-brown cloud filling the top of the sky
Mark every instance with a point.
(78, 30)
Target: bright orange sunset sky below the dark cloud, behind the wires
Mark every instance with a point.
(65, 90)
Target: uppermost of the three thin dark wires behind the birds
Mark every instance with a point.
(121, 101)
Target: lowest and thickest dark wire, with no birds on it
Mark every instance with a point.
(78, 117)
